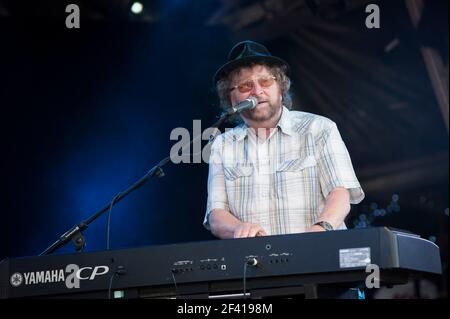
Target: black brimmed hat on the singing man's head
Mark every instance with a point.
(244, 53)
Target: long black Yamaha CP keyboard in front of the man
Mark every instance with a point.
(267, 266)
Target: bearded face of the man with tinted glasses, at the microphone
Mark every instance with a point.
(269, 97)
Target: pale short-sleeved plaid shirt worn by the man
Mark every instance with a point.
(282, 182)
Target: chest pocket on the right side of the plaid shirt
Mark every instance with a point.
(296, 181)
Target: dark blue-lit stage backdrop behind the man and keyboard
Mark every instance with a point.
(86, 112)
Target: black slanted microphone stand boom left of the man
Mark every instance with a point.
(75, 234)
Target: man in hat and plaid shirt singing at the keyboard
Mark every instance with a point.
(280, 171)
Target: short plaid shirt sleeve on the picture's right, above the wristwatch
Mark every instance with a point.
(335, 166)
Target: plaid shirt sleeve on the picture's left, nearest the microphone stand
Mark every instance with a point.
(217, 196)
